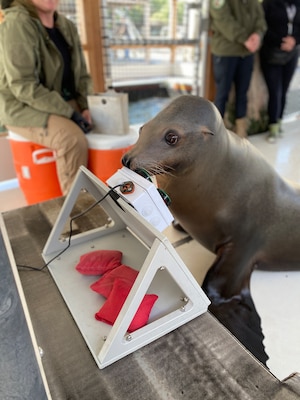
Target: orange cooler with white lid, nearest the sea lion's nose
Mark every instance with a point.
(106, 151)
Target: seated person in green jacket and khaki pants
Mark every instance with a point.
(44, 82)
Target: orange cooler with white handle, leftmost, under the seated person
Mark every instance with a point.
(35, 168)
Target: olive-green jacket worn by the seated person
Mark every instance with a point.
(31, 69)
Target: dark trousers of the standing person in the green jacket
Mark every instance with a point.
(228, 70)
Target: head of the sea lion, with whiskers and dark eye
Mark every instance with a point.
(182, 134)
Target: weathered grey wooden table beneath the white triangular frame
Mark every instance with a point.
(200, 360)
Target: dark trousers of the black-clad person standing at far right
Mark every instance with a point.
(278, 79)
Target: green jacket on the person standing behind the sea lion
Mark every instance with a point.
(232, 22)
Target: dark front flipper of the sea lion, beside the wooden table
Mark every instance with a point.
(227, 286)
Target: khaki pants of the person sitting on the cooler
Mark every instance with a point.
(68, 141)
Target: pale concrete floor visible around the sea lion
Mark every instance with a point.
(276, 295)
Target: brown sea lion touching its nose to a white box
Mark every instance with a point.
(227, 197)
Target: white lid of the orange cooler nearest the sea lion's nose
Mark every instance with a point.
(101, 141)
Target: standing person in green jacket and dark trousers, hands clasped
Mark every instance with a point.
(237, 29)
